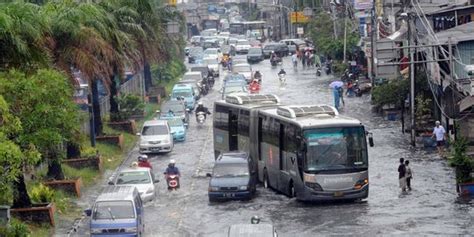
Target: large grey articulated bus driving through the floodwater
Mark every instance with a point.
(308, 152)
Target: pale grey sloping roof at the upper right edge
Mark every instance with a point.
(458, 34)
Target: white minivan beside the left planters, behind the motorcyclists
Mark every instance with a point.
(155, 137)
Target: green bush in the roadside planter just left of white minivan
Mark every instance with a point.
(128, 105)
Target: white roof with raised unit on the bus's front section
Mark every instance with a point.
(311, 116)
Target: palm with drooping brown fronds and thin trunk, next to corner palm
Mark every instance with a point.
(80, 32)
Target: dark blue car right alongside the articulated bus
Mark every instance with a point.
(232, 178)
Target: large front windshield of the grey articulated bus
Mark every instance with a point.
(335, 148)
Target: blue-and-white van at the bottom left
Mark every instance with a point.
(117, 207)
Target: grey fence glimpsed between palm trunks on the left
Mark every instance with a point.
(134, 85)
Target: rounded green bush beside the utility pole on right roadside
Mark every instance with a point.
(391, 93)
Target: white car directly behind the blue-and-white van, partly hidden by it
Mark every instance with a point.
(138, 177)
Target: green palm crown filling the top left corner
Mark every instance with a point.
(23, 36)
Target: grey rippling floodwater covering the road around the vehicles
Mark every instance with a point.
(431, 208)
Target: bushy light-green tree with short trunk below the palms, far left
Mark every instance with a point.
(49, 118)
